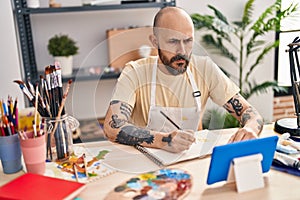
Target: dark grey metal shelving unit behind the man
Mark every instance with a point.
(26, 40)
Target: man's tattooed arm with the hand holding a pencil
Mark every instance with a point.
(117, 128)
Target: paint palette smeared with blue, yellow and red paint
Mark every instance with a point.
(160, 184)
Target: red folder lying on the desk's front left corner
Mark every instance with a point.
(34, 186)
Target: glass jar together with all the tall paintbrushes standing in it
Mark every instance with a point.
(48, 97)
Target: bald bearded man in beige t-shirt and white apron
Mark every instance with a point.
(158, 101)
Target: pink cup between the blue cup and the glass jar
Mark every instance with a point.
(34, 153)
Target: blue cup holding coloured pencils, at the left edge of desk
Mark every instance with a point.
(10, 154)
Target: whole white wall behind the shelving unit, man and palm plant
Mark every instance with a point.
(89, 30)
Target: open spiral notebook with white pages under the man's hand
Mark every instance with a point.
(140, 159)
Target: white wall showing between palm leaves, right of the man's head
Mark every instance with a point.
(233, 9)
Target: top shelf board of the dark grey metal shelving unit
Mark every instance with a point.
(26, 11)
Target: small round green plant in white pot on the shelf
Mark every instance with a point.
(62, 48)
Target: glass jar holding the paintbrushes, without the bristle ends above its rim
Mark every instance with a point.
(59, 143)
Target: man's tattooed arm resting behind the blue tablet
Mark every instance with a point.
(249, 118)
